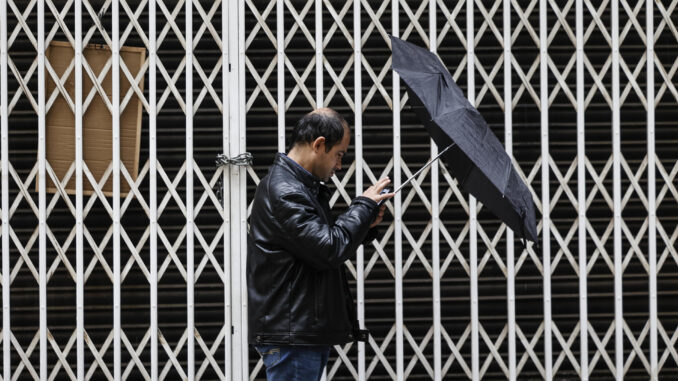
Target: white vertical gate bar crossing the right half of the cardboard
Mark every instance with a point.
(115, 100)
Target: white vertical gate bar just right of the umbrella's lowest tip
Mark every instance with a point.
(545, 195)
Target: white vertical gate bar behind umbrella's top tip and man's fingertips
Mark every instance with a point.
(398, 207)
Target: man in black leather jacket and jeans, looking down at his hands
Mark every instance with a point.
(299, 299)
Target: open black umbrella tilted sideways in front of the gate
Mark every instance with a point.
(476, 159)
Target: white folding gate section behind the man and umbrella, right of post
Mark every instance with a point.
(582, 93)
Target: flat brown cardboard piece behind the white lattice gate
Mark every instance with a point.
(97, 122)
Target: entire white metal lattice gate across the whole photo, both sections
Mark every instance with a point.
(151, 285)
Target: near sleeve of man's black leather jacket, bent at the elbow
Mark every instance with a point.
(315, 242)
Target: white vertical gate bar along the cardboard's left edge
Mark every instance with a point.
(42, 204)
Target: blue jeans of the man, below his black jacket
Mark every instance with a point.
(293, 362)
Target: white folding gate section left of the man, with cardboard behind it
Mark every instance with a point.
(135, 286)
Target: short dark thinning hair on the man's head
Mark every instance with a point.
(323, 122)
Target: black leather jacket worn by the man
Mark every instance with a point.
(297, 288)
